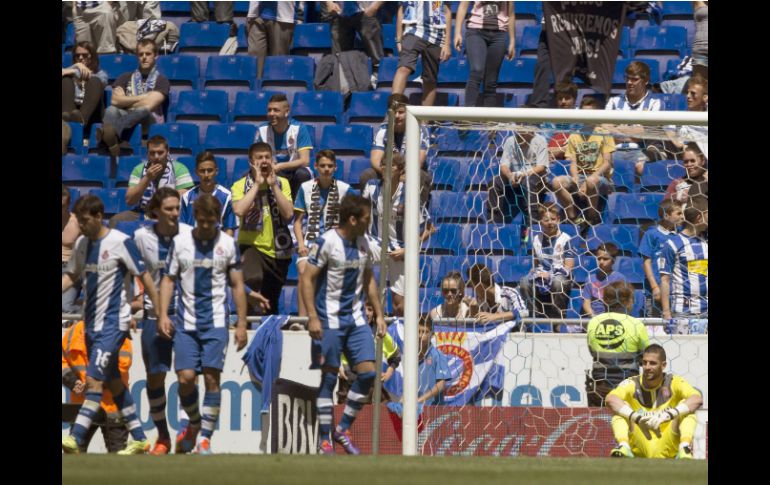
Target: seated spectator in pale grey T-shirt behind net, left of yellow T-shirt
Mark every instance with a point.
(521, 184)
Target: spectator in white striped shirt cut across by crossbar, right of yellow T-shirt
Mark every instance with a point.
(636, 98)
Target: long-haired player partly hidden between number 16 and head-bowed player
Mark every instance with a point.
(154, 242)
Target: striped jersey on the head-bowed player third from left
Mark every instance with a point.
(201, 271)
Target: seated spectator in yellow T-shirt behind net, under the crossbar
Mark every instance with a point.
(590, 172)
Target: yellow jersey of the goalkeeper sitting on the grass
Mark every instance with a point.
(673, 390)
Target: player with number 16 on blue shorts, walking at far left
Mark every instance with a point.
(104, 258)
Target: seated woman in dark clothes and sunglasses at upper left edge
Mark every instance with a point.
(82, 86)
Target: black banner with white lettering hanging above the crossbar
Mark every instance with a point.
(583, 40)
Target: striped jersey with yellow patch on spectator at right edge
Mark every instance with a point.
(686, 260)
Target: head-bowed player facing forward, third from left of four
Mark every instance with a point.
(202, 261)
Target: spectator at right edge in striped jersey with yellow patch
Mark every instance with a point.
(684, 270)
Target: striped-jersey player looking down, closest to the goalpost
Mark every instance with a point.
(338, 273)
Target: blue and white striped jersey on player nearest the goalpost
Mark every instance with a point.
(340, 286)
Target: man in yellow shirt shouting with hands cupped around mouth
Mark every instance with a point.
(262, 202)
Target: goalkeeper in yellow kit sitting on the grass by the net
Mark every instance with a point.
(654, 412)
